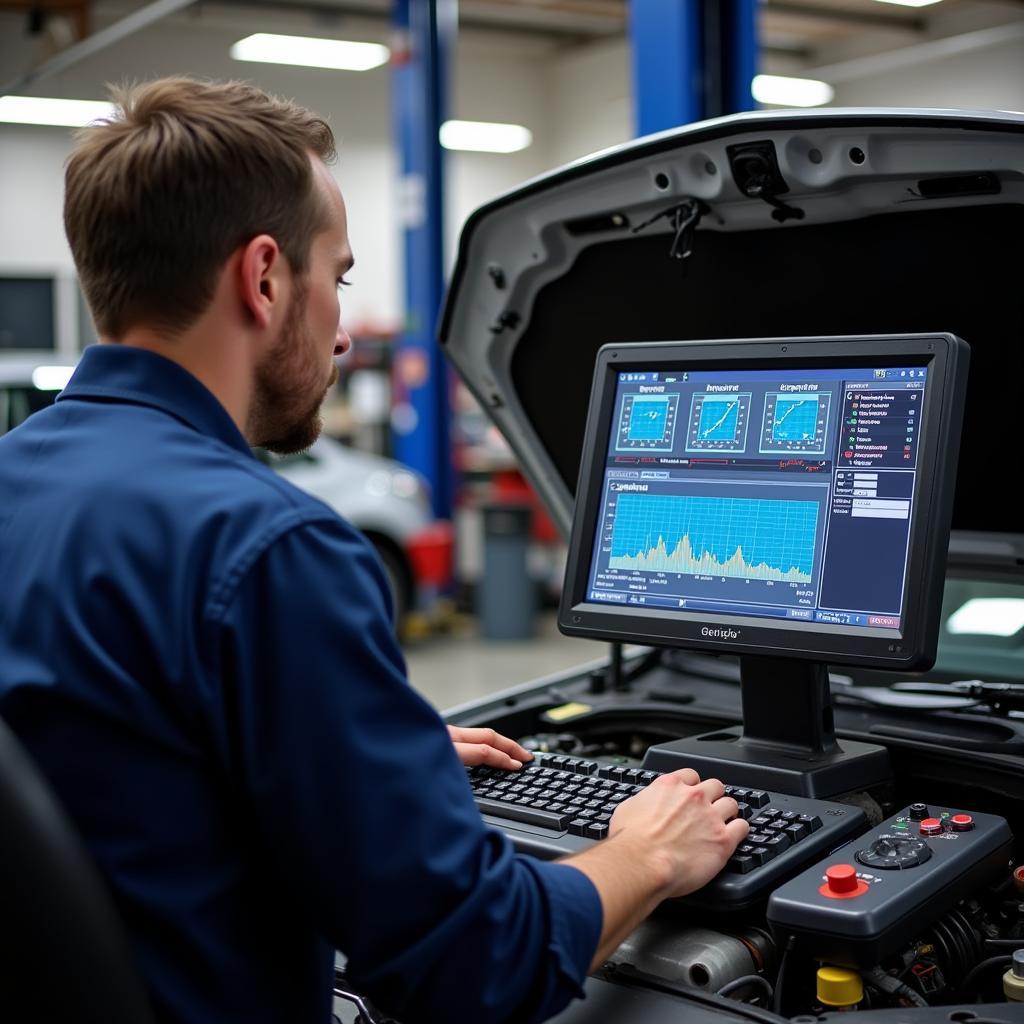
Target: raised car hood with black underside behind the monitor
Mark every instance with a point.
(877, 222)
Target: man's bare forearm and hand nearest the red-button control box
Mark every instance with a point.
(668, 841)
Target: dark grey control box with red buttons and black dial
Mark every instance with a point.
(871, 898)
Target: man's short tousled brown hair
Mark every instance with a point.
(158, 197)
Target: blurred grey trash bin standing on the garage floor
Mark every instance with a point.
(506, 595)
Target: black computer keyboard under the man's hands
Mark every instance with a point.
(559, 805)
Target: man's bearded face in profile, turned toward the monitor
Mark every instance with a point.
(293, 380)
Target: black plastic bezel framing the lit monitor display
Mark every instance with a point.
(946, 358)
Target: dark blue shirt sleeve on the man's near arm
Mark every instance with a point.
(365, 808)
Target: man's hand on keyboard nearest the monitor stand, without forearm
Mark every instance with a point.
(692, 827)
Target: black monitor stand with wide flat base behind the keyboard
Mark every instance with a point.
(788, 741)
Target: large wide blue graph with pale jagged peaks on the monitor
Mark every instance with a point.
(742, 538)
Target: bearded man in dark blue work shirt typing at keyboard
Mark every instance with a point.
(202, 658)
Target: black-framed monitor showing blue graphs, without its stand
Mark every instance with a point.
(789, 493)
